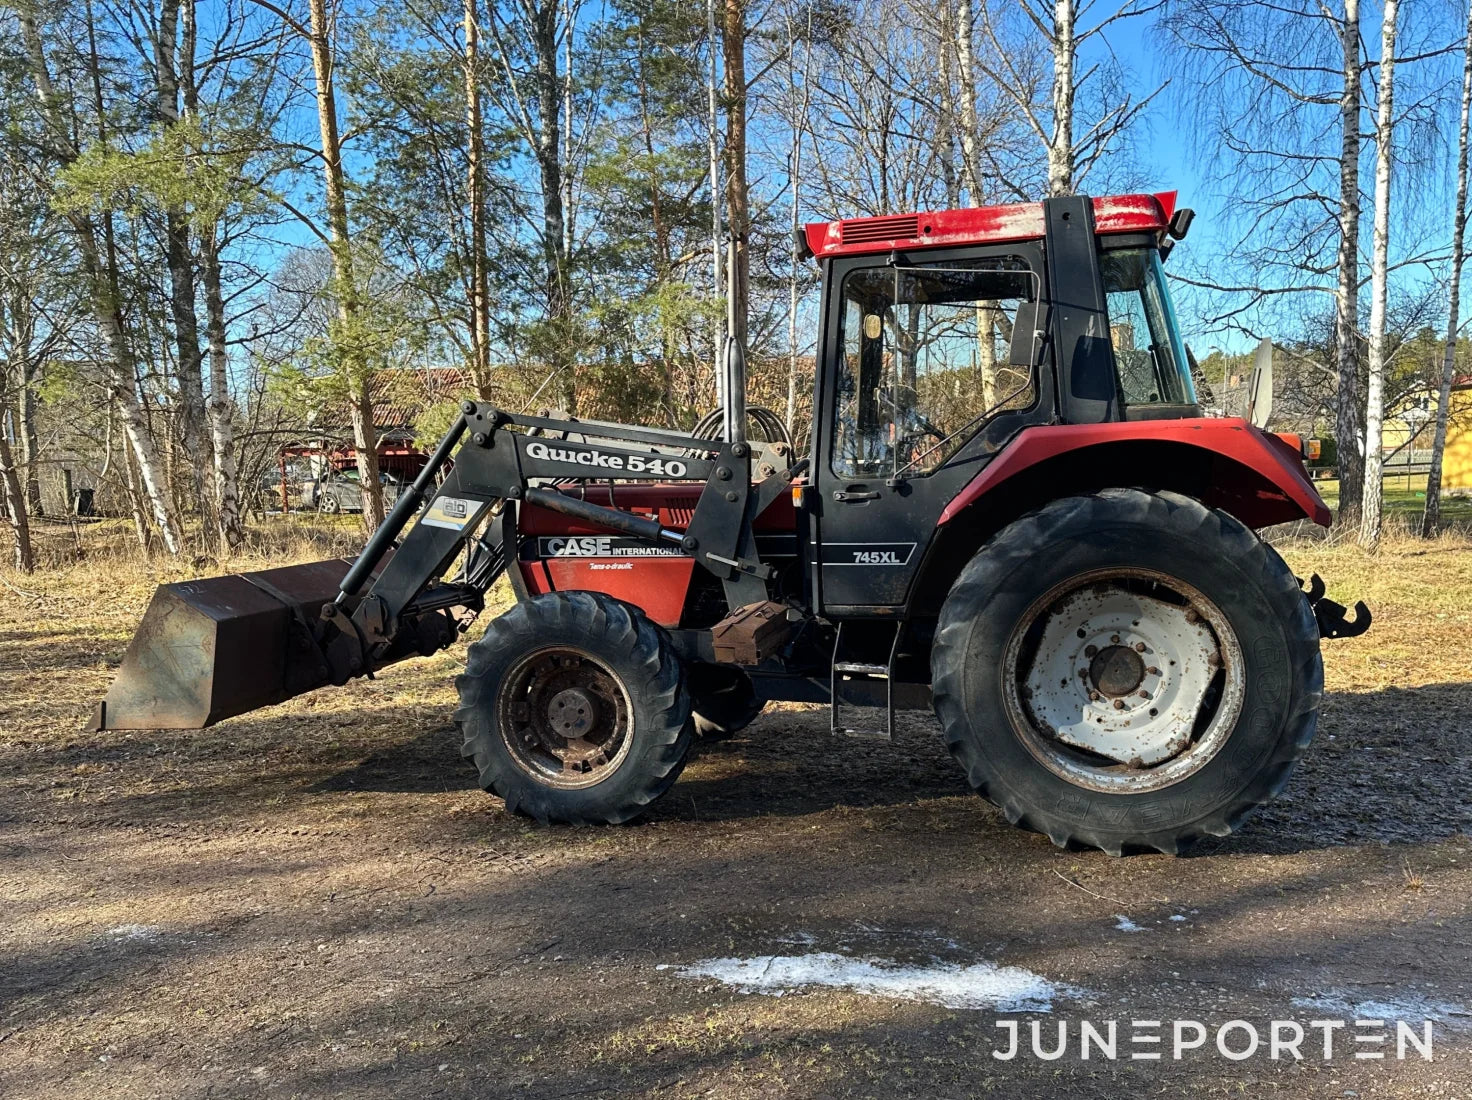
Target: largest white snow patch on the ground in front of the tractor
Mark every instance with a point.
(980, 986)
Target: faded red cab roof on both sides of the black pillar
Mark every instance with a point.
(981, 226)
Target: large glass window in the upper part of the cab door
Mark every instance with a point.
(927, 360)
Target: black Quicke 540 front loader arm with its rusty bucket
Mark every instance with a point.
(214, 649)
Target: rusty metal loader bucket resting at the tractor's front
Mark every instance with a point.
(208, 650)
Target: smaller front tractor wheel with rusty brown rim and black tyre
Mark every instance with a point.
(575, 711)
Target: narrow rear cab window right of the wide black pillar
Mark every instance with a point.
(1150, 360)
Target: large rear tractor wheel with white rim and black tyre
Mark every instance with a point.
(1128, 671)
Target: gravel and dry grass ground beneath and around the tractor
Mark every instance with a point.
(316, 900)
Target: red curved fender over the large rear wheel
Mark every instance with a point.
(1227, 463)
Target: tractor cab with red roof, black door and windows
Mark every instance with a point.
(947, 335)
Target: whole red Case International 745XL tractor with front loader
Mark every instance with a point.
(1011, 510)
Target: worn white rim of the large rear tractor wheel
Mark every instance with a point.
(1124, 681)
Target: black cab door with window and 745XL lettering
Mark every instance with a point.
(930, 364)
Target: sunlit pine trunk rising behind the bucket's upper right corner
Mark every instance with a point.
(345, 282)
